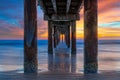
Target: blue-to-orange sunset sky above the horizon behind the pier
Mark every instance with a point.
(12, 20)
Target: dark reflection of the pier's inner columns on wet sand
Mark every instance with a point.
(62, 62)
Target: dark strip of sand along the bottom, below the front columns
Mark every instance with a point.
(104, 75)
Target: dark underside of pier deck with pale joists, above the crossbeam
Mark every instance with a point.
(62, 6)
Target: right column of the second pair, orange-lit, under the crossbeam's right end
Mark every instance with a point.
(73, 29)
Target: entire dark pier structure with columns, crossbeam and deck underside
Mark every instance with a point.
(61, 16)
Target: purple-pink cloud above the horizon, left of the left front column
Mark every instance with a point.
(10, 31)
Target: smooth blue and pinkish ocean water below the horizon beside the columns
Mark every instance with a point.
(11, 55)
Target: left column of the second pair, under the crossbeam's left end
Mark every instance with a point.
(50, 46)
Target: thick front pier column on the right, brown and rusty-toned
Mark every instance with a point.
(90, 36)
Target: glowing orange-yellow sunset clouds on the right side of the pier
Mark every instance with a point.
(108, 11)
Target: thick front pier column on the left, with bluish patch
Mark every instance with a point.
(30, 37)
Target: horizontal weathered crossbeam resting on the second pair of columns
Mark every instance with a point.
(62, 17)
